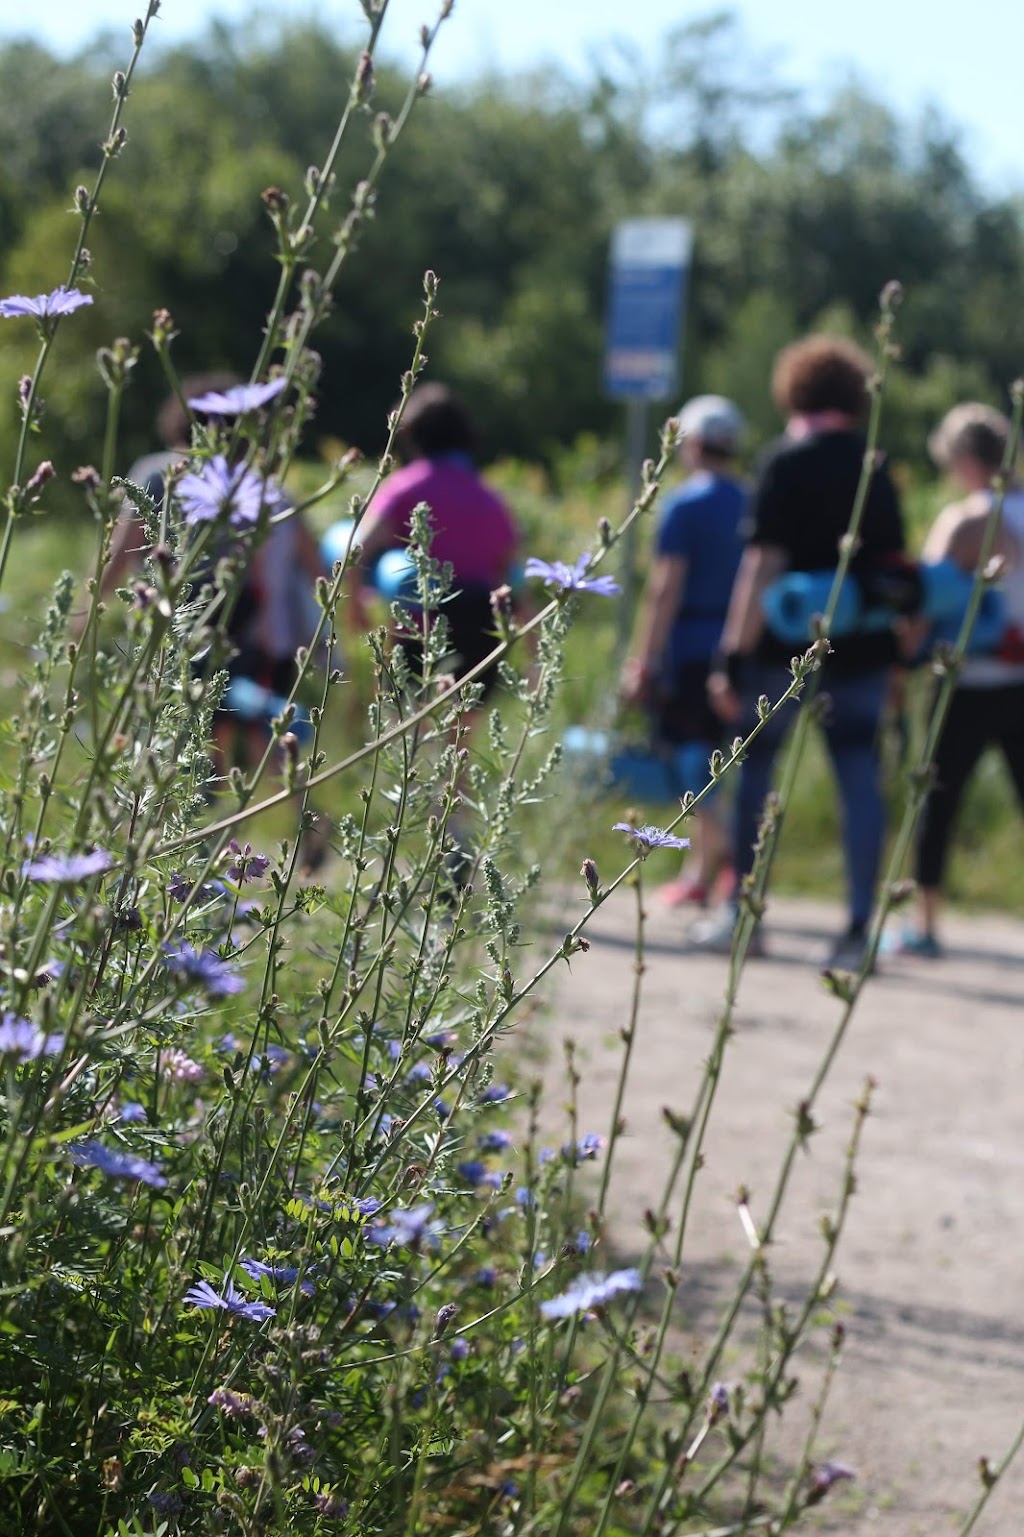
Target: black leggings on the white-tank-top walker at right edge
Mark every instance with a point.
(977, 719)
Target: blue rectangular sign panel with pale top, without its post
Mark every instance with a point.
(645, 311)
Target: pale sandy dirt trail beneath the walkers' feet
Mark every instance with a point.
(931, 1263)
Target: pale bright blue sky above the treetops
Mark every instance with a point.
(913, 53)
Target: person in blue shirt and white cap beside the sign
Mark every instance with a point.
(697, 554)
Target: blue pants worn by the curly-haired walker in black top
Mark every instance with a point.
(851, 728)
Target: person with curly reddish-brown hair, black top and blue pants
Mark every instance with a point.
(802, 508)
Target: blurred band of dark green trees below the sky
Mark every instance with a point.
(510, 191)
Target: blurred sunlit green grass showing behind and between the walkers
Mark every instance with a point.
(989, 846)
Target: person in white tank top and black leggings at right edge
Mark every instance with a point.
(988, 705)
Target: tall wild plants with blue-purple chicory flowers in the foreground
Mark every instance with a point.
(282, 1247)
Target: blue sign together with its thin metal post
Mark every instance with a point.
(650, 268)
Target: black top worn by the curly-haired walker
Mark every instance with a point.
(802, 505)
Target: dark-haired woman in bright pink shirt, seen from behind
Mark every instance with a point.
(473, 529)
